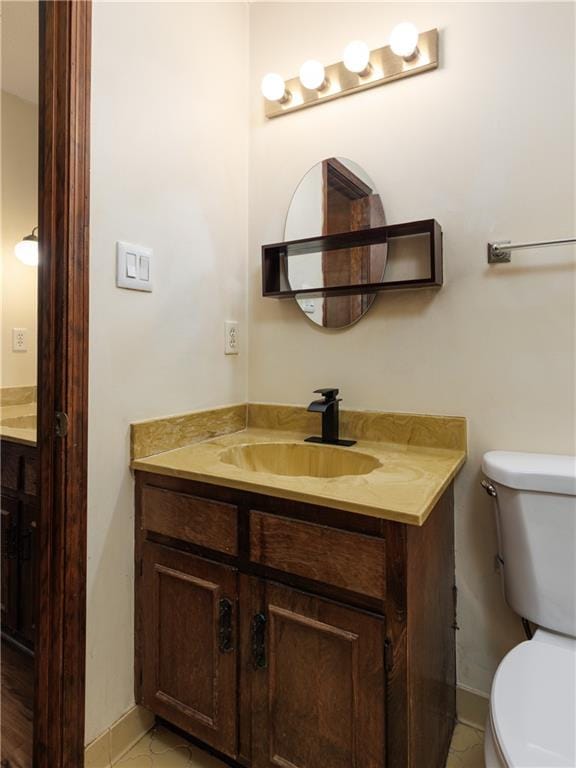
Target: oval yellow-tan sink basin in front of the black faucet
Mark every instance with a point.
(299, 459)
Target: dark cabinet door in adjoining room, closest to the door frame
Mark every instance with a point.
(28, 563)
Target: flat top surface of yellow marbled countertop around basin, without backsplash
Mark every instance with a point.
(404, 488)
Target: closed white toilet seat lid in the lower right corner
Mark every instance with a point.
(533, 703)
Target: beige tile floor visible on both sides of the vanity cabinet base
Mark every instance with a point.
(161, 748)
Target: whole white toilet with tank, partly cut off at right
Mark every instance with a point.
(532, 714)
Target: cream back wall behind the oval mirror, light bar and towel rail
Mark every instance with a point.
(486, 146)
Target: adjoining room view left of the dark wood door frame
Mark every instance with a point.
(18, 376)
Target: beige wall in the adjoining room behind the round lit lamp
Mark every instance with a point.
(19, 216)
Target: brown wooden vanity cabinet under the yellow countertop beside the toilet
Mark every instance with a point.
(281, 641)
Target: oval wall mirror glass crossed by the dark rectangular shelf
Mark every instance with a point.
(335, 196)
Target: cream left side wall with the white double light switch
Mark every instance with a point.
(169, 171)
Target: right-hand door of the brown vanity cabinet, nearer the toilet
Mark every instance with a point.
(318, 683)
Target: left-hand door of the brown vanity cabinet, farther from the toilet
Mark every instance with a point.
(188, 618)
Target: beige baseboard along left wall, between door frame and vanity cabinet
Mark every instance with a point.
(111, 745)
